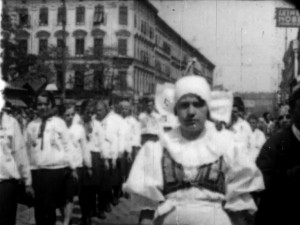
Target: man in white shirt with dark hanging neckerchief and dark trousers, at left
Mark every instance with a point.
(52, 166)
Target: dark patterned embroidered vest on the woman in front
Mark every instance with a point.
(209, 176)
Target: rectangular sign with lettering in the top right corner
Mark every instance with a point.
(287, 17)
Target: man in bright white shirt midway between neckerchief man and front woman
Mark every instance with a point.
(112, 147)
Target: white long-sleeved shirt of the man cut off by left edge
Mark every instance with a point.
(14, 163)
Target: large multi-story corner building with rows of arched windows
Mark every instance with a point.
(124, 45)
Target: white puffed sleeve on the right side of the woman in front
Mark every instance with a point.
(242, 178)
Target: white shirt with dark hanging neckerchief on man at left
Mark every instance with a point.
(56, 150)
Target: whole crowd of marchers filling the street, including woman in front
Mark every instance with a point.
(192, 169)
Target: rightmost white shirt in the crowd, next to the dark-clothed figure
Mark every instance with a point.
(257, 140)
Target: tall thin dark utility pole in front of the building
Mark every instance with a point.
(64, 21)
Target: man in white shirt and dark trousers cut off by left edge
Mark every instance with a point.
(14, 167)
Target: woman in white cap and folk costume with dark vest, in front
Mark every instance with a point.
(194, 173)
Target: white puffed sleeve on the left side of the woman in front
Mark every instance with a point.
(145, 178)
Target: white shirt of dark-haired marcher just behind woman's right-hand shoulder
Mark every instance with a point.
(242, 133)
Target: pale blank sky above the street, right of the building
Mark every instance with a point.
(239, 37)
